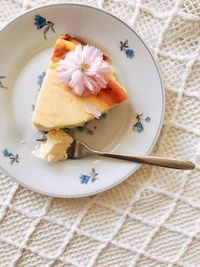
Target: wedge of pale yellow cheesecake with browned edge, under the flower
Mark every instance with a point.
(57, 107)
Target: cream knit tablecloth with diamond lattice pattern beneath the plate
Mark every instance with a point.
(151, 219)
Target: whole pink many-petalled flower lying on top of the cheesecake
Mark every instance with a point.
(84, 70)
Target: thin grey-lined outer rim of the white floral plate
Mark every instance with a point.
(163, 102)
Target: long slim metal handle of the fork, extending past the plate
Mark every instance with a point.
(158, 161)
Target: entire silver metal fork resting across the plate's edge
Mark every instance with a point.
(79, 150)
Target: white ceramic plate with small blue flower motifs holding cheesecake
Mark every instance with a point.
(132, 127)
